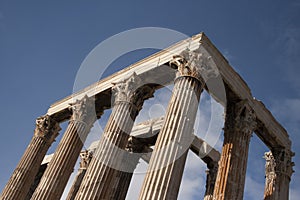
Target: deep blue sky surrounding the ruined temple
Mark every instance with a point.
(42, 45)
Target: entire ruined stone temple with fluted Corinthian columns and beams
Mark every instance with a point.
(192, 66)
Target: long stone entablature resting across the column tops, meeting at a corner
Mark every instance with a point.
(269, 130)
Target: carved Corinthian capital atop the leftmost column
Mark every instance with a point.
(46, 127)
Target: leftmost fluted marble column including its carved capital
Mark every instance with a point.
(23, 177)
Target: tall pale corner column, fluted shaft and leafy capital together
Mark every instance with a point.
(167, 162)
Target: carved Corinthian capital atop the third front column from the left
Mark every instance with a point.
(132, 90)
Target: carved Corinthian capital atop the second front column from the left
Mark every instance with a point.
(84, 110)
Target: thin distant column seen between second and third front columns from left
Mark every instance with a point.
(85, 158)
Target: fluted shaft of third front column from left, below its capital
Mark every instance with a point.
(98, 180)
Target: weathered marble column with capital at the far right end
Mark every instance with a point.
(279, 169)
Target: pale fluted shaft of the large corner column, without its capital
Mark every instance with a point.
(167, 162)
